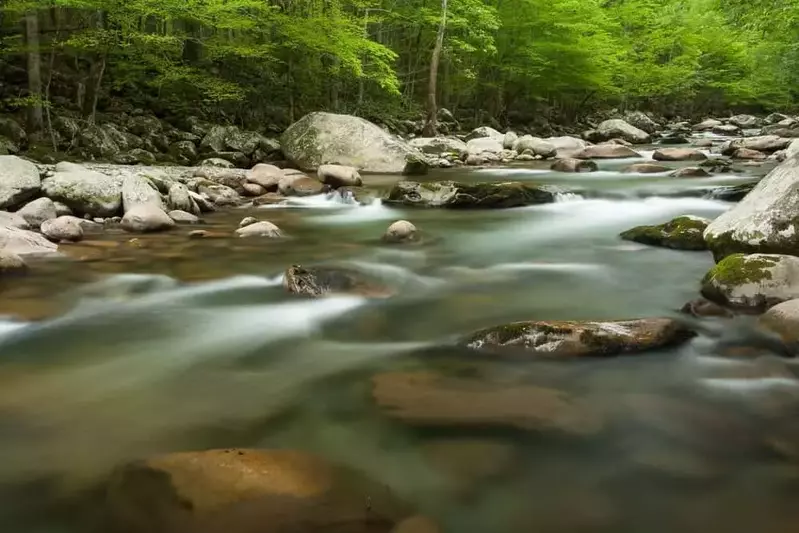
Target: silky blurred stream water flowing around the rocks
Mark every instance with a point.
(161, 343)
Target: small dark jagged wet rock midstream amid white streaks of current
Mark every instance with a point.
(323, 280)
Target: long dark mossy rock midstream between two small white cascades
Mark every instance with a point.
(451, 194)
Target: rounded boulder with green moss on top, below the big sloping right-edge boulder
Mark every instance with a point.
(752, 282)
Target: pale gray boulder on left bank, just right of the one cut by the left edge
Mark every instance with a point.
(84, 191)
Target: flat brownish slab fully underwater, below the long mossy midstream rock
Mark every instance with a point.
(425, 399)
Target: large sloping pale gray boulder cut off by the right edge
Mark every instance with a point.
(765, 220)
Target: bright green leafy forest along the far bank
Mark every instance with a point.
(269, 61)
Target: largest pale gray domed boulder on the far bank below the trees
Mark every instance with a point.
(321, 138)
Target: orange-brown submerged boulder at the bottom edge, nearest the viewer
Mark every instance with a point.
(247, 491)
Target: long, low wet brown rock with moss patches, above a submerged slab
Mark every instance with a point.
(563, 339)
